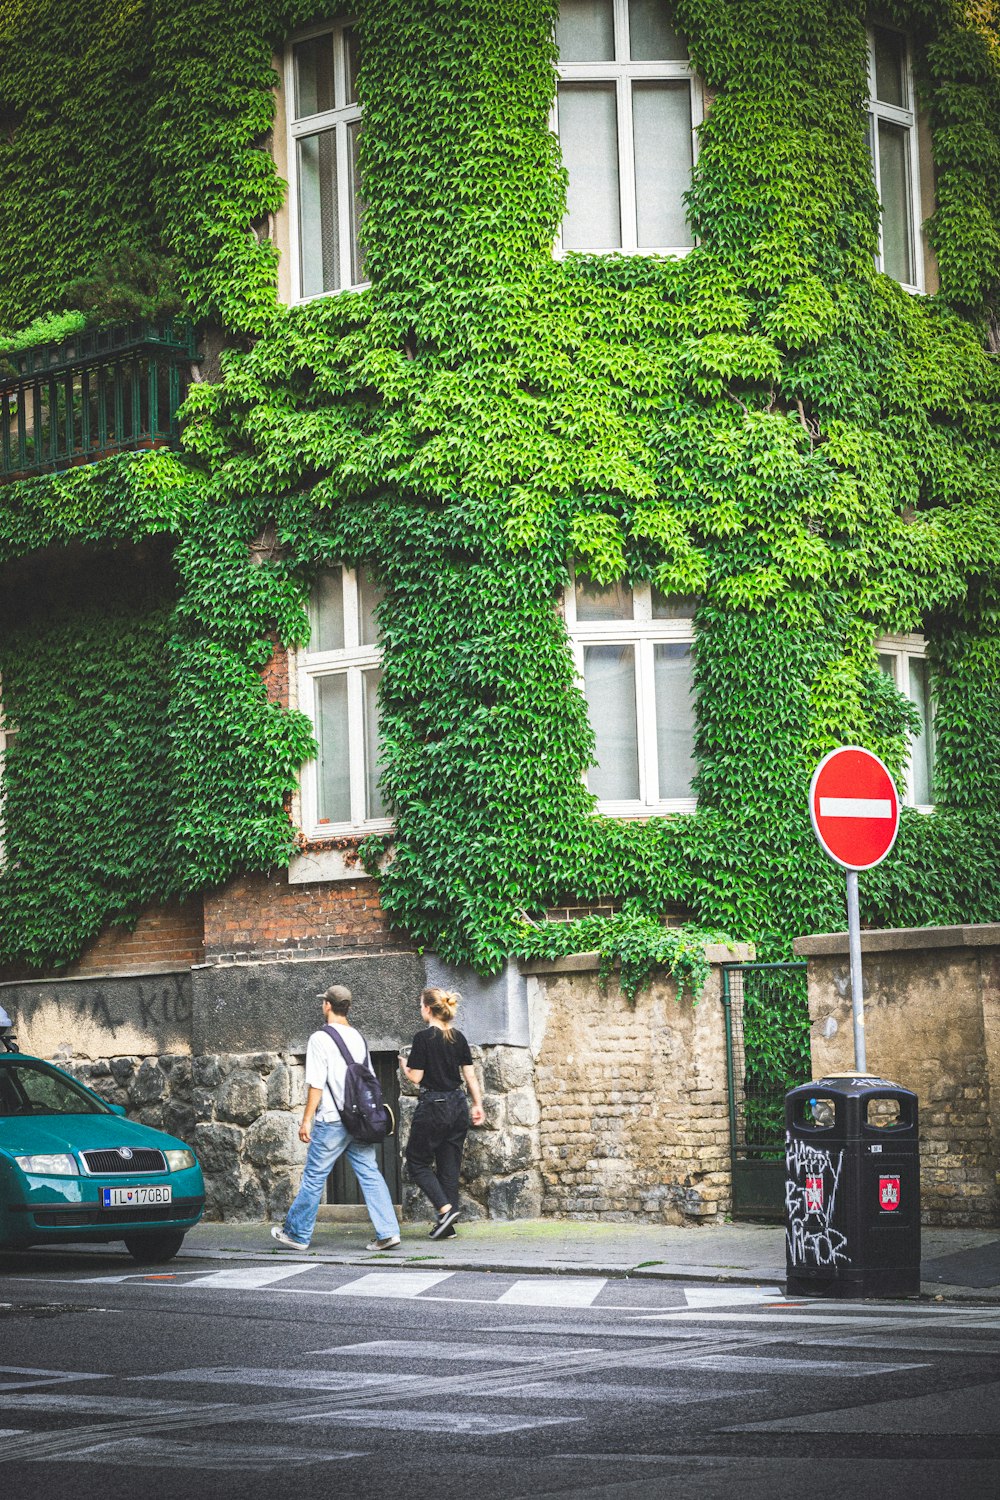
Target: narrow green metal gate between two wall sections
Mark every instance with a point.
(767, 1054)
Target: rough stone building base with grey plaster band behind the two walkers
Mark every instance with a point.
(217, 1057)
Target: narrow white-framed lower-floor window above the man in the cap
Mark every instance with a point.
(338, 688)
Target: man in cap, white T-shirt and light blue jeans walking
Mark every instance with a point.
(328, 1139)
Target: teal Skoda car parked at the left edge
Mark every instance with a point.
(73, 1168)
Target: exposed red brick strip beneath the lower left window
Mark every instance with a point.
(265, 917)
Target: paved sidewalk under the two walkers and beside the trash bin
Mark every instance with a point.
(957, 1264)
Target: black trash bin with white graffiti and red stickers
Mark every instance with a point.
(852, 1189)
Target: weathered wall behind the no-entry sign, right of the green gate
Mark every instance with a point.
(933, 1025)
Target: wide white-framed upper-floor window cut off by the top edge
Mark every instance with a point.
(627, 113)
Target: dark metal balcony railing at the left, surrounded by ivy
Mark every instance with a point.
(97, 394)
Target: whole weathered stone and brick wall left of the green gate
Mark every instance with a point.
(593, 1108)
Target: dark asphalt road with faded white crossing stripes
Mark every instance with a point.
(277, 1379)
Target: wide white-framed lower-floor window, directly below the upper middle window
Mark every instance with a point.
(633, 652)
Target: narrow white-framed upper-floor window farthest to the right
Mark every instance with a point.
(893, 142)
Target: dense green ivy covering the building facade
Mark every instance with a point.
(765, 424)
